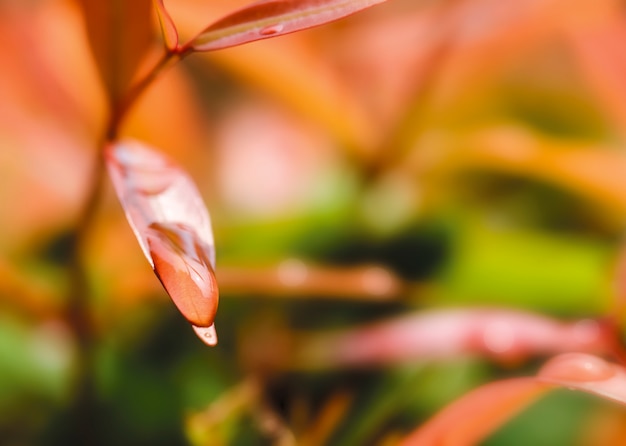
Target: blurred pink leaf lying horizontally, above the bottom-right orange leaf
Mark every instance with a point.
(501, 334)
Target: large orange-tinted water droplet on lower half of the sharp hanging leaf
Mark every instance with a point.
(181, 261)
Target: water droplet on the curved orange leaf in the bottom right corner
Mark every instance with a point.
(577, 367)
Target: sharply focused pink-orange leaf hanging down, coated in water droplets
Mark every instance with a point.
(172, 225)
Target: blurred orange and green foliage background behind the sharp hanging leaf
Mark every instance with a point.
(419, 158)
